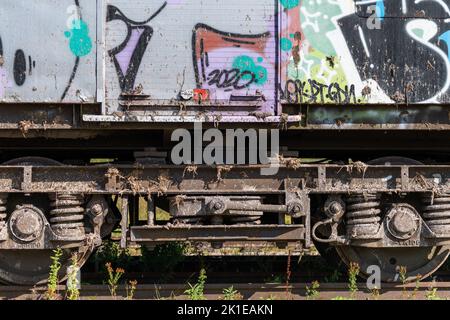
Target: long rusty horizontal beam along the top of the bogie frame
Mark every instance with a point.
(242, 180)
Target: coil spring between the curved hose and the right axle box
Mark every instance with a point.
(363, 215)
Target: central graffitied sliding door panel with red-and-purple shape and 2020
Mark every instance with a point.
(176, 53)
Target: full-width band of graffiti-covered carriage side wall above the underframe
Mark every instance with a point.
(223, 51)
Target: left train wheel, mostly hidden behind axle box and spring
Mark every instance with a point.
(32, 266)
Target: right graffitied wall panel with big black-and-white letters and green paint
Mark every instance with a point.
(397, 58)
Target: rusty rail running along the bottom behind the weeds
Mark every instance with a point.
(296, 291)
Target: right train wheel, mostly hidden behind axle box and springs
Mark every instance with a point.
(422, 261)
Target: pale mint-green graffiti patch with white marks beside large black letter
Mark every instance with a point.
(320, 15)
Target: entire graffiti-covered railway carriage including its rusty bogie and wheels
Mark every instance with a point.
(361, 85)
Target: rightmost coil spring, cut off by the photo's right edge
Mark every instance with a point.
(437, 213)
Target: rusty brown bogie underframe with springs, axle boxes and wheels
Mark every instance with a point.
(382, 215)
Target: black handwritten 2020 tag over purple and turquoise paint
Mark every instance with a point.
(234, 78)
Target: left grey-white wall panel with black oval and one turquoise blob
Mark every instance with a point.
(40, 58)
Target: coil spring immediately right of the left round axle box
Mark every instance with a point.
(67, 212)
